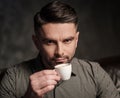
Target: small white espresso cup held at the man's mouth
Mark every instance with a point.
(64, 70)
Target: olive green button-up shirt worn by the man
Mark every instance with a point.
(88, 80)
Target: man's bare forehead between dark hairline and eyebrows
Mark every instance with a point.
(55, 30)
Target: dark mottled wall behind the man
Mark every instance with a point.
(99, 29)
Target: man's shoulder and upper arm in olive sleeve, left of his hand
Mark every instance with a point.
(14, 76)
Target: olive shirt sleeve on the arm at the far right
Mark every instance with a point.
(106, 87)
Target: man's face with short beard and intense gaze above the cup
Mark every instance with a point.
(57, 42)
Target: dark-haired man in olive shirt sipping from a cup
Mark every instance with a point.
(56, 38)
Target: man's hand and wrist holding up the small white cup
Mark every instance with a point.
(41, 83)
